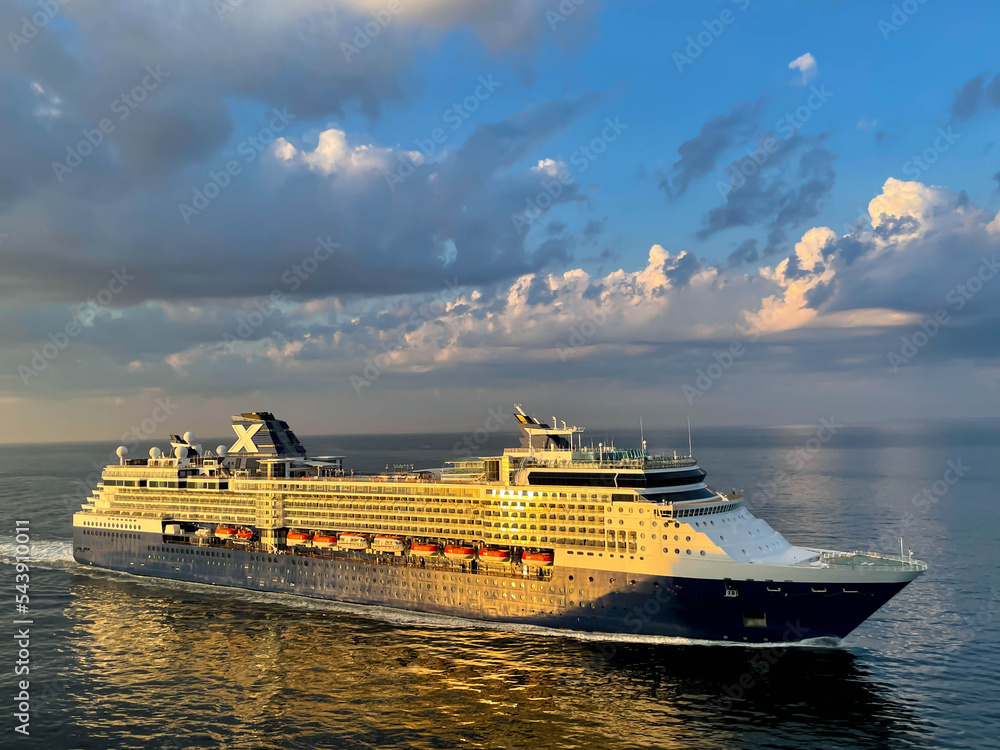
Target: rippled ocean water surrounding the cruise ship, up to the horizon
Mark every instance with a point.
(124, 662)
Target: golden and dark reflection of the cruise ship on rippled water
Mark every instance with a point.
(176, 666)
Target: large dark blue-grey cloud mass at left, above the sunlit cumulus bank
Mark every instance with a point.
(447, 220)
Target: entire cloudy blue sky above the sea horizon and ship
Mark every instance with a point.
(397, 216)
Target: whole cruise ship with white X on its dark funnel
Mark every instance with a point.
(553, 533)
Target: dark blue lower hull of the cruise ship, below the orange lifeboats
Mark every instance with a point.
(569, 598)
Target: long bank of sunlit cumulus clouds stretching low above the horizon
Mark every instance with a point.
(831, 309)
